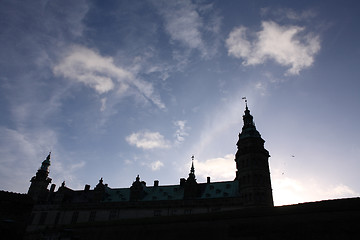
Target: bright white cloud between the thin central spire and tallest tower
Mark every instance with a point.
(222, 168)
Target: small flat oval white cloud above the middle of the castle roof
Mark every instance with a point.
(147, 140)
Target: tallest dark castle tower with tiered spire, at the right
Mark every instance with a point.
(252, 165)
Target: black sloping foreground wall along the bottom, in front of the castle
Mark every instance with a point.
(332, 219)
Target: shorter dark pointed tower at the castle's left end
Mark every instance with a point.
(39, 183)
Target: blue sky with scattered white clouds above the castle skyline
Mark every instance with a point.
(119, 88)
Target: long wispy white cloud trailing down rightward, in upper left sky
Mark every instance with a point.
(100, 73)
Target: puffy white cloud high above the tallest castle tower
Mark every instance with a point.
(283, 44)
